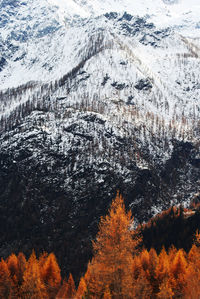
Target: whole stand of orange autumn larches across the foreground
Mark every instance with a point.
(121, 267)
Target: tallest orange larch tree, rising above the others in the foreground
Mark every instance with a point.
(115, 244)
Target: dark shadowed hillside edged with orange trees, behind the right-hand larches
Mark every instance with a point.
(174, 227)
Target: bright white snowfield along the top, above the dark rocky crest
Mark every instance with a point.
(173, 11)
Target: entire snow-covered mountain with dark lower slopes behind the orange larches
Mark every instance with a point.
(94, 97)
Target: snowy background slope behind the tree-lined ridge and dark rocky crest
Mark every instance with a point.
(39, 38)
